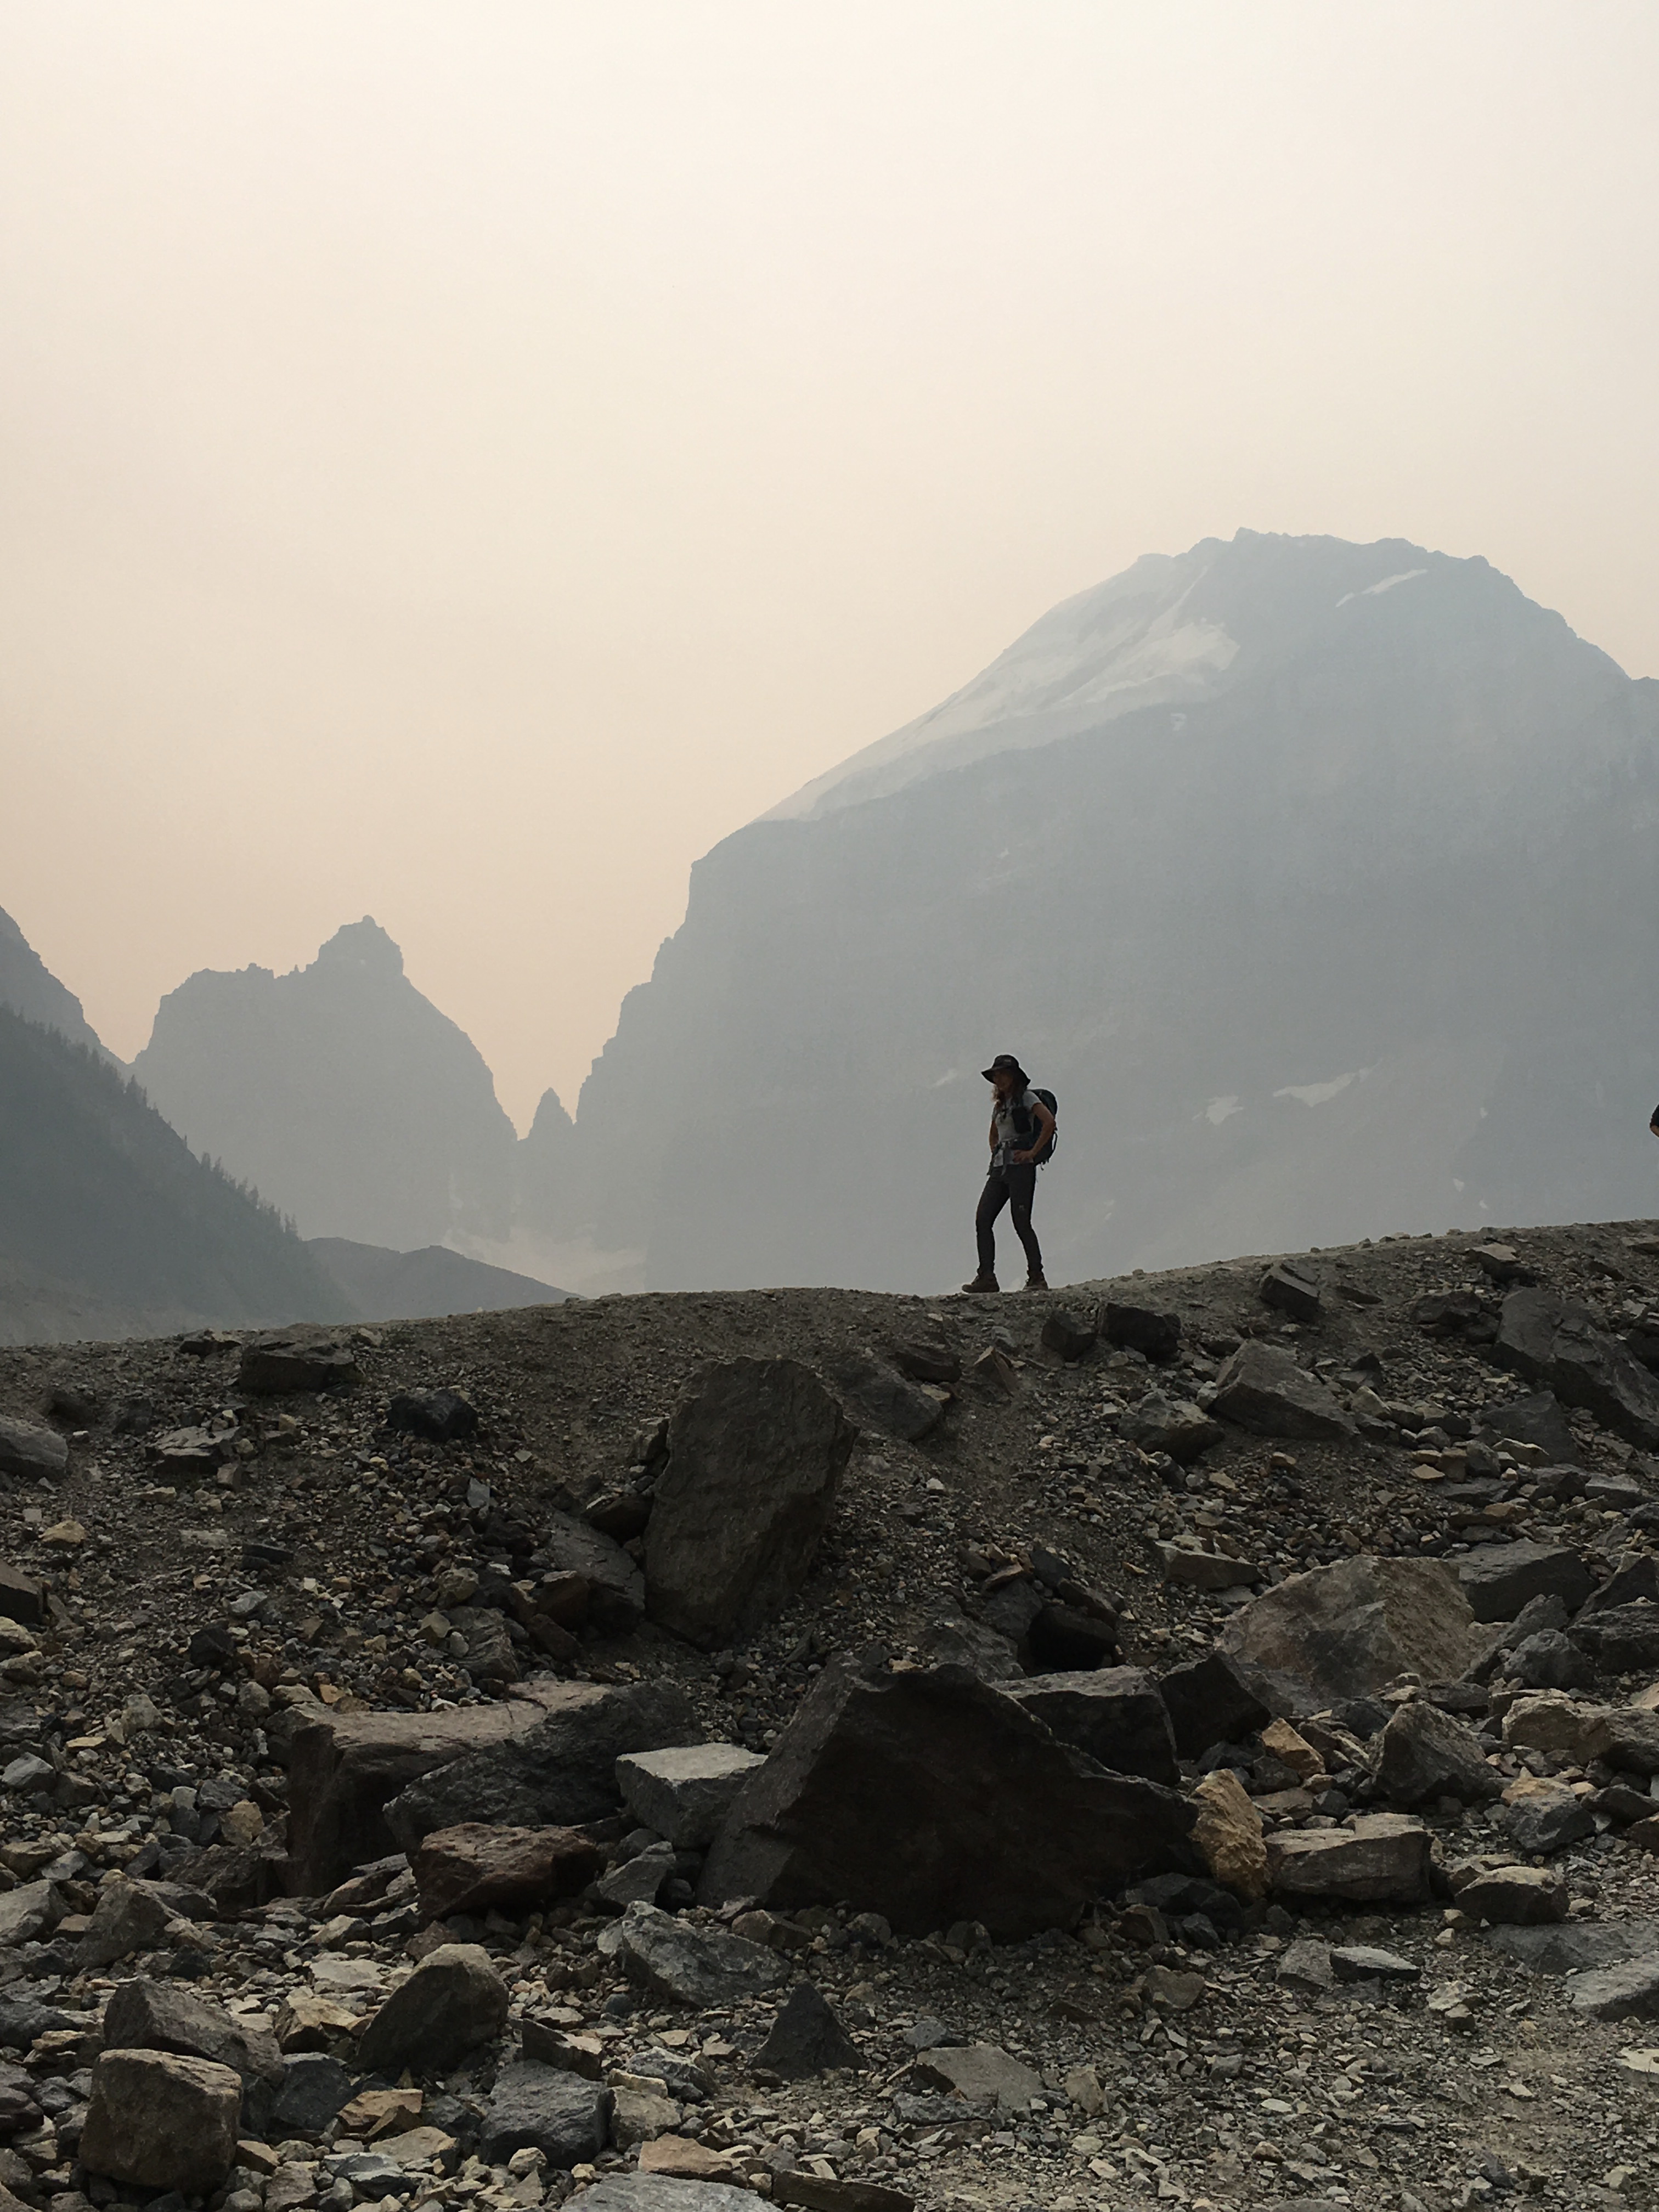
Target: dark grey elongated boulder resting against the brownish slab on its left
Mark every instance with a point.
(559, 1773)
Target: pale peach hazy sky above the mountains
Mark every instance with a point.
(463, 461)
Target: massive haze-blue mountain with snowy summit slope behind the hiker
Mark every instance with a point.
(1322, 881)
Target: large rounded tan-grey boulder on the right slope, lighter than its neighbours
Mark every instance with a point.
(1348, 1629)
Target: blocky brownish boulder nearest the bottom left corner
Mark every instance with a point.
(163, 2122)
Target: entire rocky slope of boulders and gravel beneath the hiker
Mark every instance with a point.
(1173, 1742)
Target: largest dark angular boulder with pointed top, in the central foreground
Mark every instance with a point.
(935, 1797)
